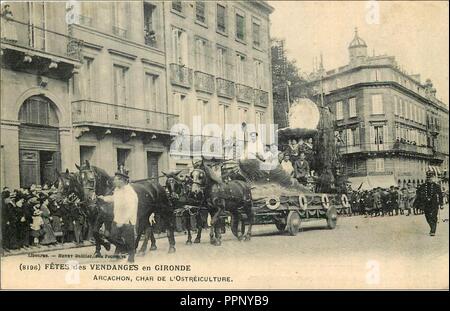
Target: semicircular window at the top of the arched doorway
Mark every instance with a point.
(38, 110)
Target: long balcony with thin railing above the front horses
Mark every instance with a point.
(88, 112)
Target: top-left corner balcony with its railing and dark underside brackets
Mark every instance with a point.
(36, 50)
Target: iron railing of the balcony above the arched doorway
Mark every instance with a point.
(37, 38)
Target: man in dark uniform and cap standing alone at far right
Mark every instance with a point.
(429, 198)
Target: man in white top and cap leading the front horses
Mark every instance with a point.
(125, 205)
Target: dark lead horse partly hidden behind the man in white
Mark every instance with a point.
(152, 199)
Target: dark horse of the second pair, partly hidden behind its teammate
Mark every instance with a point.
(191, 208)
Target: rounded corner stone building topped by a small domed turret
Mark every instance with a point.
(391, 128)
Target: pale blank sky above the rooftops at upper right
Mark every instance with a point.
(415, 32)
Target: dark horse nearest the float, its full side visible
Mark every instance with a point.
(233, 196)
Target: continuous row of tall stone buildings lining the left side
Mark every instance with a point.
(107, 81)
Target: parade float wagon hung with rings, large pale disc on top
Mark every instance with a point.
(280, 199)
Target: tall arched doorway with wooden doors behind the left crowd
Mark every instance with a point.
(39, 150)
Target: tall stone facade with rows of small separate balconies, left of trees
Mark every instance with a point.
(218, 60)
